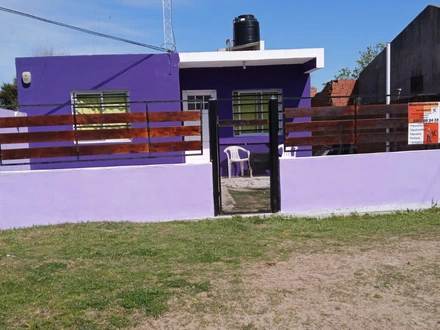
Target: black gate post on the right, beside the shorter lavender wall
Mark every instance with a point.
(275, 203)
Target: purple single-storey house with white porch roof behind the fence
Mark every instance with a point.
(60, 84)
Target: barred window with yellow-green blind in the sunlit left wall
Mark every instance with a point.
(86, 103)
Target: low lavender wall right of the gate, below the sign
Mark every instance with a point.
(387, 181)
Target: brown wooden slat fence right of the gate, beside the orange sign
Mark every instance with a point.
(362, 127)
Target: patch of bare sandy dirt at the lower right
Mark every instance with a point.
(390, 285)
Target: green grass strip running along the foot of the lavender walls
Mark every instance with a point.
(113, 275)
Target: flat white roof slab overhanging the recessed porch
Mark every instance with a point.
(313, 58)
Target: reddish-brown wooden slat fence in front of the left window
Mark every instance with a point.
(58, 136)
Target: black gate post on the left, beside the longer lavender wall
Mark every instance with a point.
(214, 153)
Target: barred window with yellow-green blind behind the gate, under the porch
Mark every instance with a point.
(250, 105)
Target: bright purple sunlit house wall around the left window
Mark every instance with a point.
(146, 78)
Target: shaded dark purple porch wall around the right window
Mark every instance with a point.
(291, 79)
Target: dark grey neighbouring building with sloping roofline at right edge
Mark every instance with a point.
(415, 58)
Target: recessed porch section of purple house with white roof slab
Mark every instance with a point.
(243, 82)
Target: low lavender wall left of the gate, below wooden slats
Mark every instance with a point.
(126, 193)
